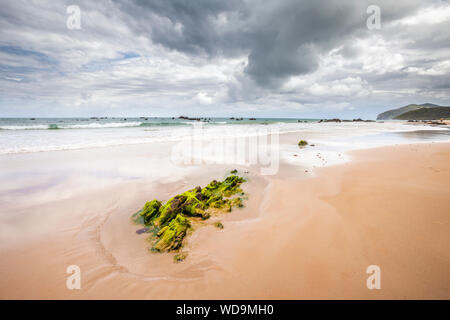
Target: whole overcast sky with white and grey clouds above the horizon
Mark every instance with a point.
(281, 58)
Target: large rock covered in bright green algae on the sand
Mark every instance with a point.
(168, 222)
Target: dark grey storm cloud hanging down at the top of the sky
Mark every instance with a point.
(282, 38)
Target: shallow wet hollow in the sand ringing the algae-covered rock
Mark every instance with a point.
(130, 250)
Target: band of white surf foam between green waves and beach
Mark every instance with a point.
(330, 135)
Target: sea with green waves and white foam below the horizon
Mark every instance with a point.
(21, 135)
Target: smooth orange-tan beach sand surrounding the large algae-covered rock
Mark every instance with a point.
(305, 237)
